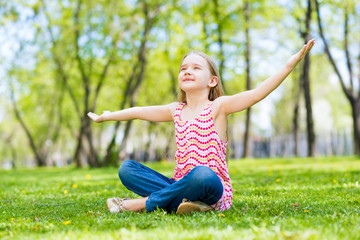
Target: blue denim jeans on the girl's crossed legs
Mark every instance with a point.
(200, 184)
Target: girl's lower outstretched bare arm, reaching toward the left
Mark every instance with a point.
(163, 113)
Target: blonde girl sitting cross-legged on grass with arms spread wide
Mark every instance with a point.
(201, 179)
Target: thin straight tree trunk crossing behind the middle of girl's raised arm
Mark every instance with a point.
(247, 152)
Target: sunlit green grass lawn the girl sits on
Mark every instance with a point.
(273, 199)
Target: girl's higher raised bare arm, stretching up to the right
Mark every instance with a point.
(244, 100)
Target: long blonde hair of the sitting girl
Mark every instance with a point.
(214, 92)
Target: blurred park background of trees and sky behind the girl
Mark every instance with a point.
(60, 59)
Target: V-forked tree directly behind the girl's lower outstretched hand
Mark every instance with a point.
(91, 66)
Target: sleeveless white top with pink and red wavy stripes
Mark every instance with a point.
(198, 143)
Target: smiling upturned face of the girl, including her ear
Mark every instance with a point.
(195, 74)
